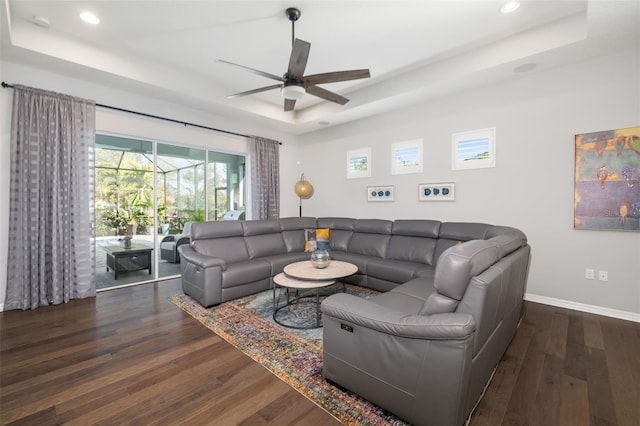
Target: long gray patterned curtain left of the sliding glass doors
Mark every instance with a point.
(51, 222)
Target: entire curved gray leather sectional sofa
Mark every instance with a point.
(426, 347)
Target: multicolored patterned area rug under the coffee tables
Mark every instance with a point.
(295, 356)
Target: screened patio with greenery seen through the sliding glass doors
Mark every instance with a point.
(145, 193)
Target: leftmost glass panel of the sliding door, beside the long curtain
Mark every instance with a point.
(124, 211)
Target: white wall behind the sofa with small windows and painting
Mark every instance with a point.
(536, 117)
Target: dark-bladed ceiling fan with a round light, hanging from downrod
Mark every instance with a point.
(294, 84)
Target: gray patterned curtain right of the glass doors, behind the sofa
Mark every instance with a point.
(265, 178)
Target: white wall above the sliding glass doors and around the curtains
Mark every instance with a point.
(121, 123)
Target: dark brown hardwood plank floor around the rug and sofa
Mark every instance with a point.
(131, 357)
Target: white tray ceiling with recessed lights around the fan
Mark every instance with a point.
(416, 50)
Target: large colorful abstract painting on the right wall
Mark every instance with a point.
(607, 180)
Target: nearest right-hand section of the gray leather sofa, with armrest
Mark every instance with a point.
(426, 349)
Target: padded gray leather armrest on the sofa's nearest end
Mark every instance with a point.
(365, 313)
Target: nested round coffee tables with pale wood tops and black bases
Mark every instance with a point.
(304, 276)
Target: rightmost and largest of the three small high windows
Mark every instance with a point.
(474, 149)
